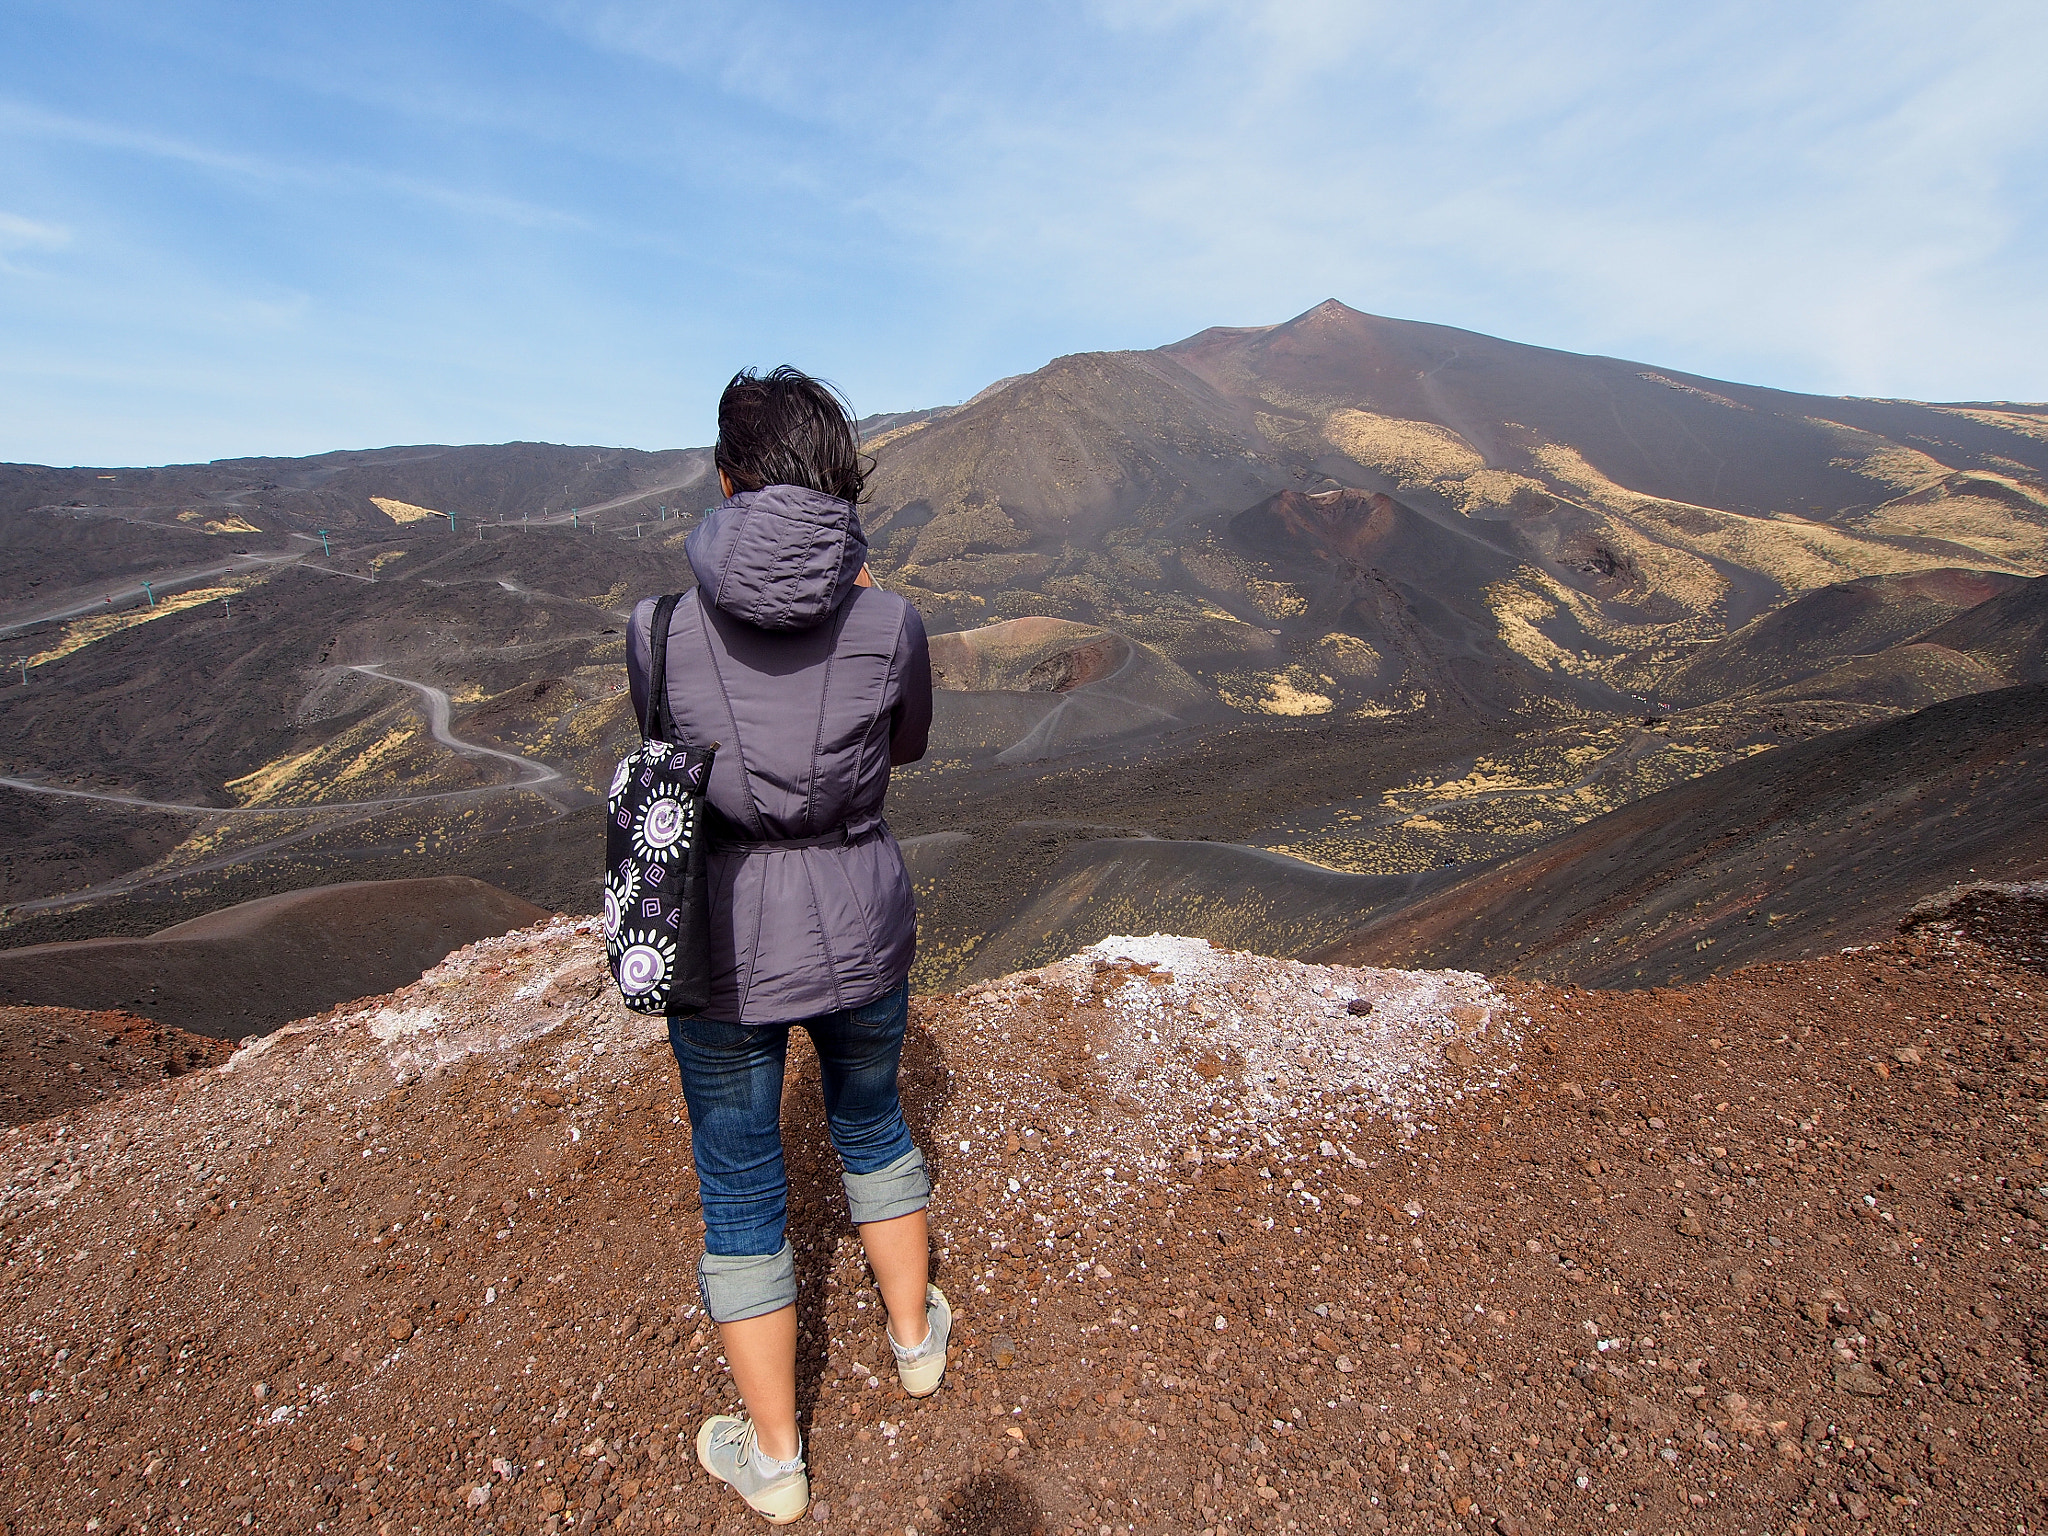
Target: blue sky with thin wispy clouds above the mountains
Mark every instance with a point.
(286, 228)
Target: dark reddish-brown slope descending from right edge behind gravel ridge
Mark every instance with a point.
(1791, 853)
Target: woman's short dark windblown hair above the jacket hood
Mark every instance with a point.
(790, 429)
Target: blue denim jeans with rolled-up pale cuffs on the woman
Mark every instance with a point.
(732, 1080)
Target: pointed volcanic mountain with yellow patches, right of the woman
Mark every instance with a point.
(1598, 507)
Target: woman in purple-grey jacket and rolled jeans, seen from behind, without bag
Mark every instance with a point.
(814, 683)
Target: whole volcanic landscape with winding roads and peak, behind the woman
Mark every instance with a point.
(1373, 601)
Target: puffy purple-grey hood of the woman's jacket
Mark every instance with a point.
(779, 558)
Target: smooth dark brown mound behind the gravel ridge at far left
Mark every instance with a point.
(253, 968)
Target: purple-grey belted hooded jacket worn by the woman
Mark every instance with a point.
(814, 689)
